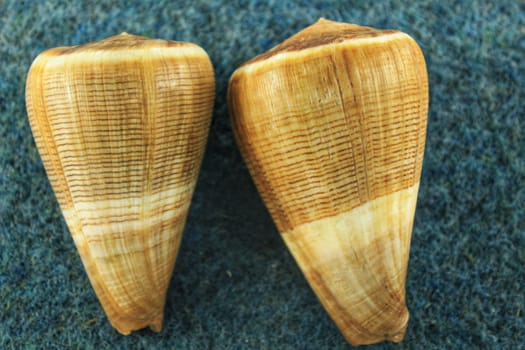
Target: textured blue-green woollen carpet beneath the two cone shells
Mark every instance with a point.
(235, 285)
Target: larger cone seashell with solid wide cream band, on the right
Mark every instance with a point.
(332, 126)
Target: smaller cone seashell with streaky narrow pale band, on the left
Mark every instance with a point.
(121, 127)
